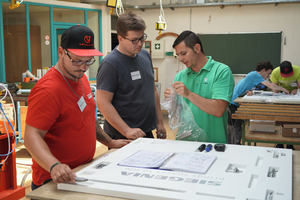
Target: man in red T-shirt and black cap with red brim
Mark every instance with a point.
(61, 129)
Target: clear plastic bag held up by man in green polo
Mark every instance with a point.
(181, 119)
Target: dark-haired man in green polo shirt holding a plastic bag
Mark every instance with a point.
(205, 84)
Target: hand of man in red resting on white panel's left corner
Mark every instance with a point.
(62, 173)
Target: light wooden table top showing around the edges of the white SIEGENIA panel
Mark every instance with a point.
(50, 191)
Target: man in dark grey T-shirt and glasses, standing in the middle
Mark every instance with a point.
(126, 93)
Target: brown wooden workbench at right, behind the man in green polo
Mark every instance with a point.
(280, 112)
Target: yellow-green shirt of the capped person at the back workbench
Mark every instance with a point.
(289, 83)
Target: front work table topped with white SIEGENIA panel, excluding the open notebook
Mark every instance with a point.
(219, 182)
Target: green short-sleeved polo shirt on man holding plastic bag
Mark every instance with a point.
(214, 81)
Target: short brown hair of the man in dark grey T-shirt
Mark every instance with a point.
(129, 22)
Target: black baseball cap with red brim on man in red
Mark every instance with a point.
(80, 41)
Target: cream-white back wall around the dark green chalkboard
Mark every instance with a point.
(284, 17)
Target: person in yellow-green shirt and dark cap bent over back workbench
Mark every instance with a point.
(287, 76)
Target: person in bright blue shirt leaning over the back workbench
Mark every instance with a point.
(247, 84)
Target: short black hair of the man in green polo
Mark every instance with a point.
(190, 39)
